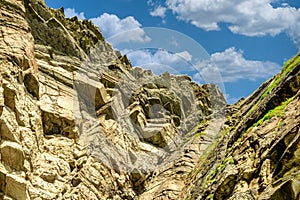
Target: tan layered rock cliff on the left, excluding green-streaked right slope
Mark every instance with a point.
(77, 122)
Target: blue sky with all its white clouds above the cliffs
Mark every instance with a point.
(237, 44)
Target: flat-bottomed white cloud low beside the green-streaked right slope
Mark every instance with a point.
(231, 66)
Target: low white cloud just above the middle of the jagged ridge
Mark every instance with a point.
(161, 60)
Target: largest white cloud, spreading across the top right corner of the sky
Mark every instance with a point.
(245, 17)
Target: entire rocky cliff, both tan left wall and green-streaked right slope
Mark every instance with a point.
(78, 122)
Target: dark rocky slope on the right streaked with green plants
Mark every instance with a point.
(258, 156)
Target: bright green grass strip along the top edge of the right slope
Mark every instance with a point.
(288, 66)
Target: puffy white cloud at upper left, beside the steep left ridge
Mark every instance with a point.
(112, 25)
